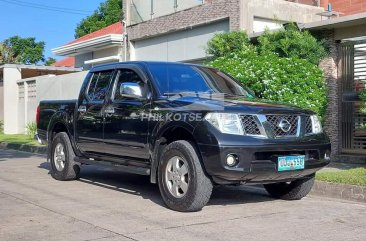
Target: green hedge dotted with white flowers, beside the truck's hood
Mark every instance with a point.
(286, 80)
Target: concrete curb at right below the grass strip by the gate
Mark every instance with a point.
(339, 191)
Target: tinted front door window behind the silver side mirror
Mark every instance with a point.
(125, 76)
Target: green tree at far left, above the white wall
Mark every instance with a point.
(17, 50)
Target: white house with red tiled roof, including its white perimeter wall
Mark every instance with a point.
(22, 87)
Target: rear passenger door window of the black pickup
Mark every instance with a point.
(98, 87)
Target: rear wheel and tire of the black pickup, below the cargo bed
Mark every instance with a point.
(63, 166)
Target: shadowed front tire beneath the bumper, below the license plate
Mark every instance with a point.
(294, 190)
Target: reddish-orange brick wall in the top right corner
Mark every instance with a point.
(349, 7)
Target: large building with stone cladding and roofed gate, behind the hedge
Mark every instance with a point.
(179, 30)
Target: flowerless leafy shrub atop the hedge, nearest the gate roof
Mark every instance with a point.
(292, 43)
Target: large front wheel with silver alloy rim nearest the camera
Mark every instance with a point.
(198, 191)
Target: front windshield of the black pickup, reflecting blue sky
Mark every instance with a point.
(178, 78)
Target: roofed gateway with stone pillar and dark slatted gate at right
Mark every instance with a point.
(345, 72)
